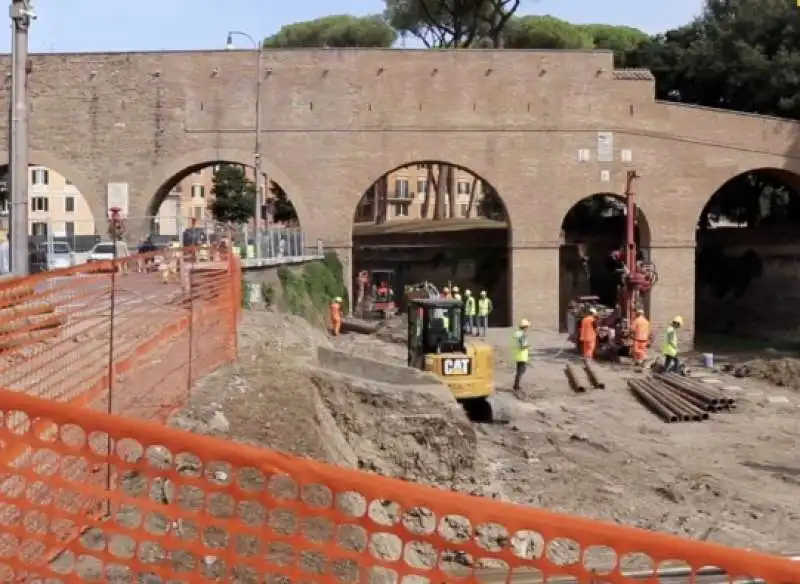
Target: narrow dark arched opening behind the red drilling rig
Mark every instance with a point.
(592, 230)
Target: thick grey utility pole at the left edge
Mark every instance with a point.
(22, 14)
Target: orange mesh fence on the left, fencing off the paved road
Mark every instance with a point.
(127, 336)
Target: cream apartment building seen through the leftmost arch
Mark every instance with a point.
(55, 207)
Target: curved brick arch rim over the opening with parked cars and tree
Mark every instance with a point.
(167, 173)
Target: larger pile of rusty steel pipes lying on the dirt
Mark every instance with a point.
(677, 399)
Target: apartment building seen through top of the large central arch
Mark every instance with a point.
(405, 190)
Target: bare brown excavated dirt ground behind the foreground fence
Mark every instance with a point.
(733, 479)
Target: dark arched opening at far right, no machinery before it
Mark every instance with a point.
(747, 254)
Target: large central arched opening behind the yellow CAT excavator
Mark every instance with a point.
(431, 221)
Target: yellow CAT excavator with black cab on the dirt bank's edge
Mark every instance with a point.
(436, 345)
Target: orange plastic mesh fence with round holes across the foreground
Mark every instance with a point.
(188, 508)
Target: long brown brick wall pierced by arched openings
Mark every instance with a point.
(336, 120)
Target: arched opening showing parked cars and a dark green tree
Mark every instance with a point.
(219, 198)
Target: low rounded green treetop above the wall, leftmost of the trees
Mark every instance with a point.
(338, 31)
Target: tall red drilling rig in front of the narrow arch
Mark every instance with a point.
(637, 277)
